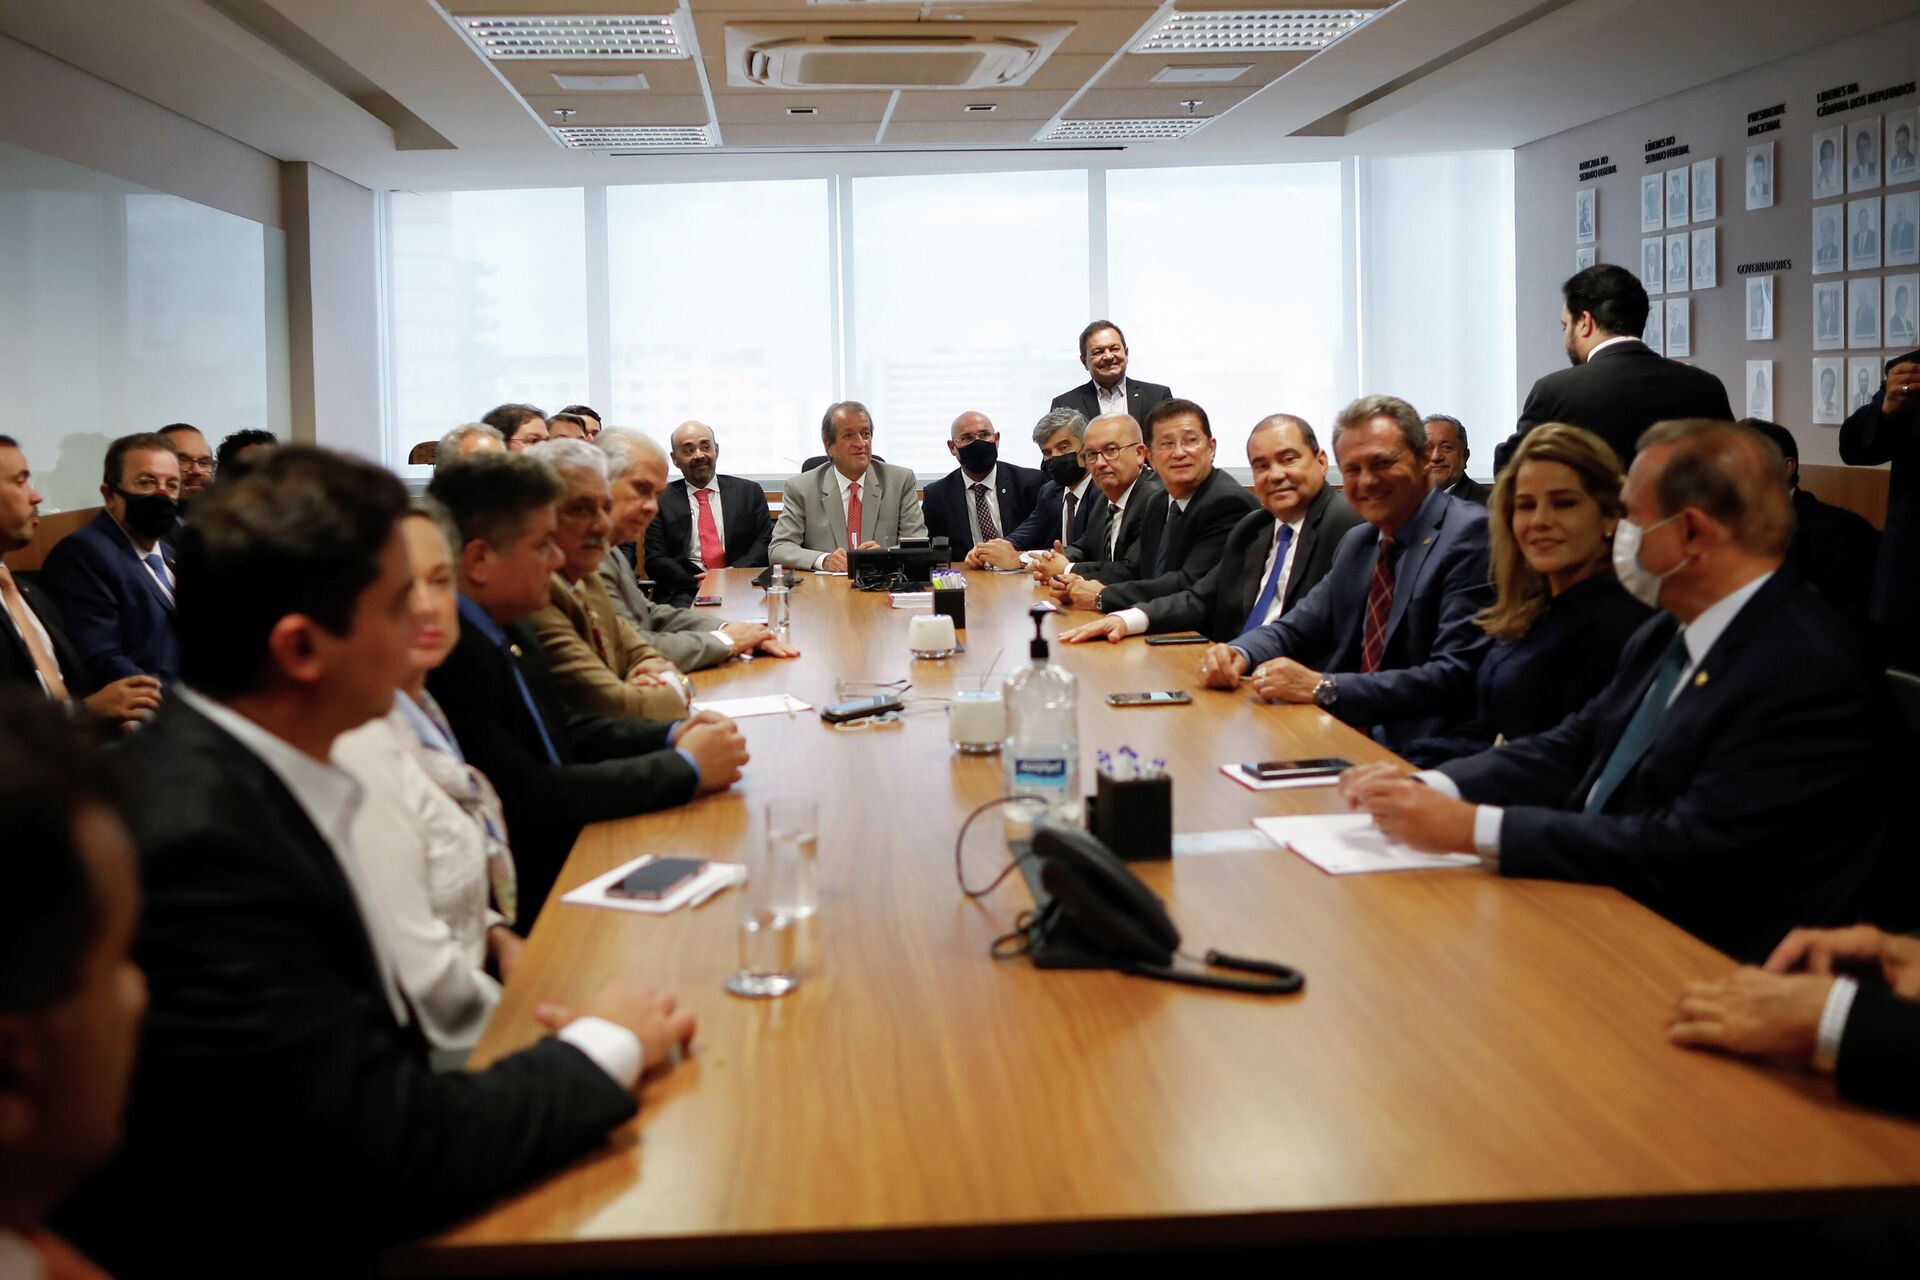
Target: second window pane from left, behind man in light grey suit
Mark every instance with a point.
(723, 304)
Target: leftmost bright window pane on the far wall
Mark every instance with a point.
(489, 306)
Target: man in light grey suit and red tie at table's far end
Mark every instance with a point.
(853, 502)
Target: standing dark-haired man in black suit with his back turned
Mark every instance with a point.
(1618, 387)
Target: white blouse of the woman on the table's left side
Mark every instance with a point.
(425, 861)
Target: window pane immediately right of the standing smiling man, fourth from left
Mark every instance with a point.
(1230, 287)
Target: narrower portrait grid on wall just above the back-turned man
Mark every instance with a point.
(1679, 256)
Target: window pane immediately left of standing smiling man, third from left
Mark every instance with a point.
(969, 293)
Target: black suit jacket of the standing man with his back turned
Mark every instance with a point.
(1618, 394)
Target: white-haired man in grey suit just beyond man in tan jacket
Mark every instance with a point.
(636, 467)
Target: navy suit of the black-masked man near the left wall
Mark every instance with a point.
(118, 617)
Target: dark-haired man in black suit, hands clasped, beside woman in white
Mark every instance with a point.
(554, 767)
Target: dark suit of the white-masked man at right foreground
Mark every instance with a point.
(1762, 801)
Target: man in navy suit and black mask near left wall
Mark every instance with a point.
(114, 579)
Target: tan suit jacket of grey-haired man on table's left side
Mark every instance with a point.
(587, 680)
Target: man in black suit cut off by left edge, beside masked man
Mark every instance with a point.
(36, 652)
